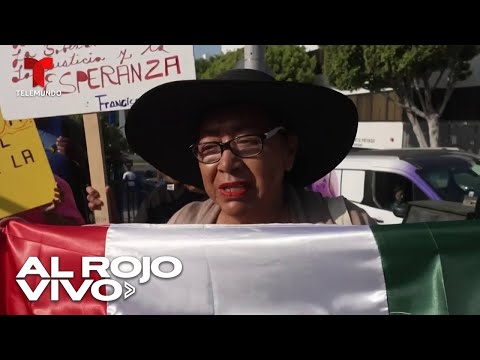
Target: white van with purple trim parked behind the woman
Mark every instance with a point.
(369, 177)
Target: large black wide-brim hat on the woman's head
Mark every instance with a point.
(164, 122)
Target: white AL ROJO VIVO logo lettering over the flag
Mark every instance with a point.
(122, 267)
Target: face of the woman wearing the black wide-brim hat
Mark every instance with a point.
(248, 190)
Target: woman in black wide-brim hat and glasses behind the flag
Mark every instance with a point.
(252, 143)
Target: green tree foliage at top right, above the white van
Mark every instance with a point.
(373, 67)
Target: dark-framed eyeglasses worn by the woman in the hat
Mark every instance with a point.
(243, 146)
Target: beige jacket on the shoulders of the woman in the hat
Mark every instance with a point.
(304, 207)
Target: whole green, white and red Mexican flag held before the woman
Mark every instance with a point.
(403, 269)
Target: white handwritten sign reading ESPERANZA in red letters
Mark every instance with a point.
(87, 78)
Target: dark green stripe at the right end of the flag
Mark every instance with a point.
(431, 268)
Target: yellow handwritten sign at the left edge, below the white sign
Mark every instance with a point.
(26, 180)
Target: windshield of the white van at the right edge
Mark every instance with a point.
(453, 176)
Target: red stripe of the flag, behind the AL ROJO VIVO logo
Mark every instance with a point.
(19, 240)
